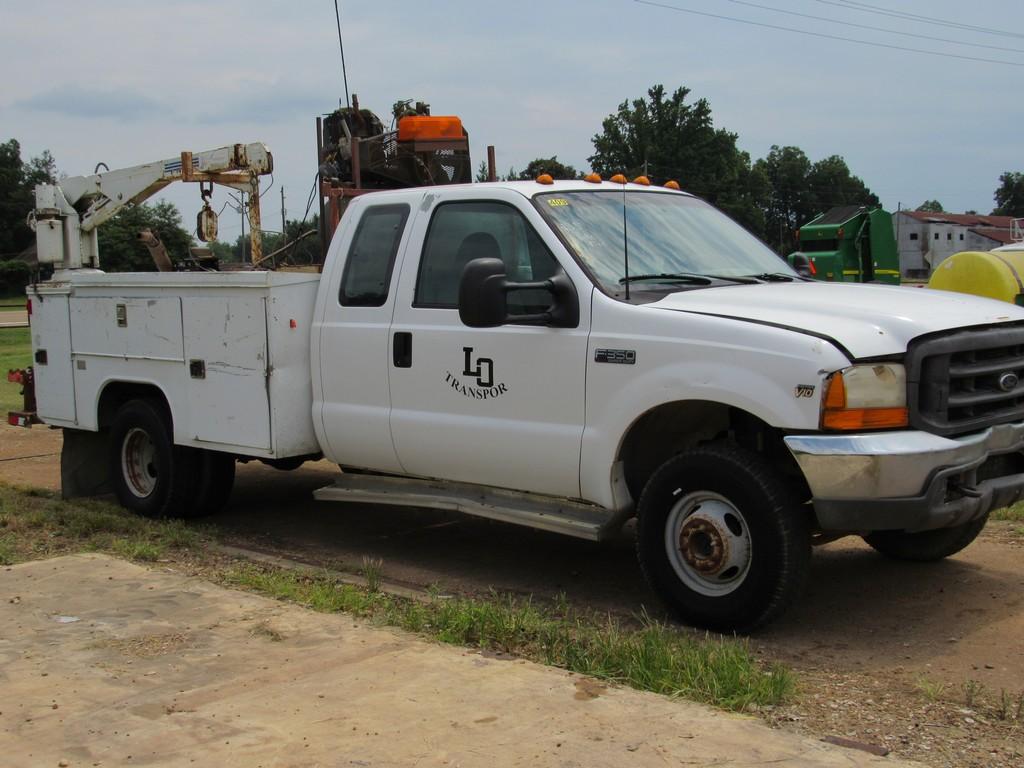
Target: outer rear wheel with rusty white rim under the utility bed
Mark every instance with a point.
(152, 477)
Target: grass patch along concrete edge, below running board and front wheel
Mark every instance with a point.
(653, 657)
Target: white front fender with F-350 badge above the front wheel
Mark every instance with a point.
(774, 374)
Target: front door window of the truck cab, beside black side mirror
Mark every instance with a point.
(462, 232)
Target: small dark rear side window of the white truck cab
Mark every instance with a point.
(371, 258)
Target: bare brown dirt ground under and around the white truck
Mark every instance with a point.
(925, 660)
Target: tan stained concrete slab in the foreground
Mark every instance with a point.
(105, 663)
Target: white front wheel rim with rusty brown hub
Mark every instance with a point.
(708, 544)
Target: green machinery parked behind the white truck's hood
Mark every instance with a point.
(849, 244)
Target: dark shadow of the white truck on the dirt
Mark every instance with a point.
(861, 610)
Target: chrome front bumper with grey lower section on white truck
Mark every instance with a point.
(909, 481)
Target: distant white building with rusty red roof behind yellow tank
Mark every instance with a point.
(925, 239)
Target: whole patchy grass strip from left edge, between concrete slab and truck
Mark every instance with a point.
(646, 655)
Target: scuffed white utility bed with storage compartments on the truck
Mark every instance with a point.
(230, 351)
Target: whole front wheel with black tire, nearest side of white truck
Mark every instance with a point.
(721, 539)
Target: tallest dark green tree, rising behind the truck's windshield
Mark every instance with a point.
(666, 138)
